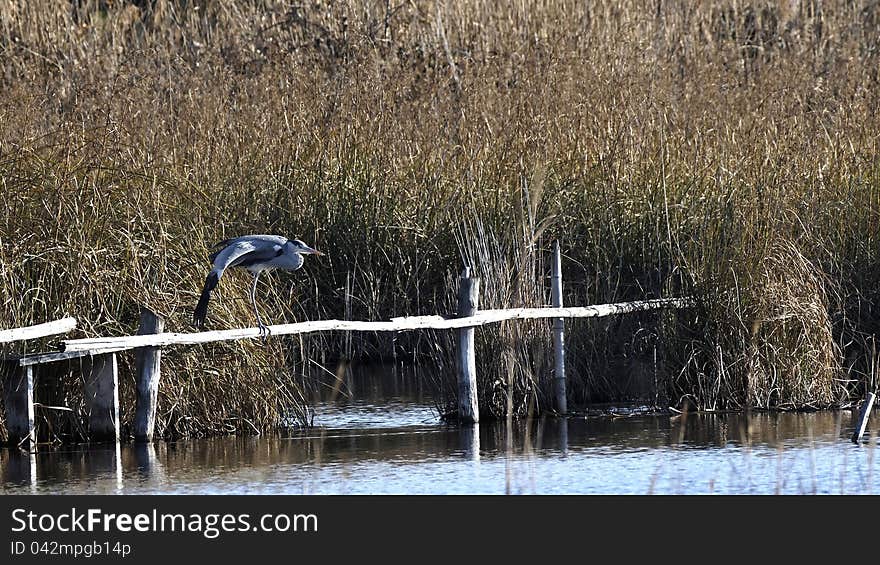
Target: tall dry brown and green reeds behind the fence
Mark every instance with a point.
(726, 150)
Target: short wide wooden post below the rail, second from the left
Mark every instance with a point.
(102, 396)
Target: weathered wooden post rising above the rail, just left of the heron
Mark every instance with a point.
(147, 360)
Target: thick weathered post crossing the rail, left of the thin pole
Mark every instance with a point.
(468, 302)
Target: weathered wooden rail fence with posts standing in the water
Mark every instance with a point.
(100, 365)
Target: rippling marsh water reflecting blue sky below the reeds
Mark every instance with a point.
(383, 436)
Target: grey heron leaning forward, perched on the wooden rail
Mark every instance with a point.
(256, 253)
